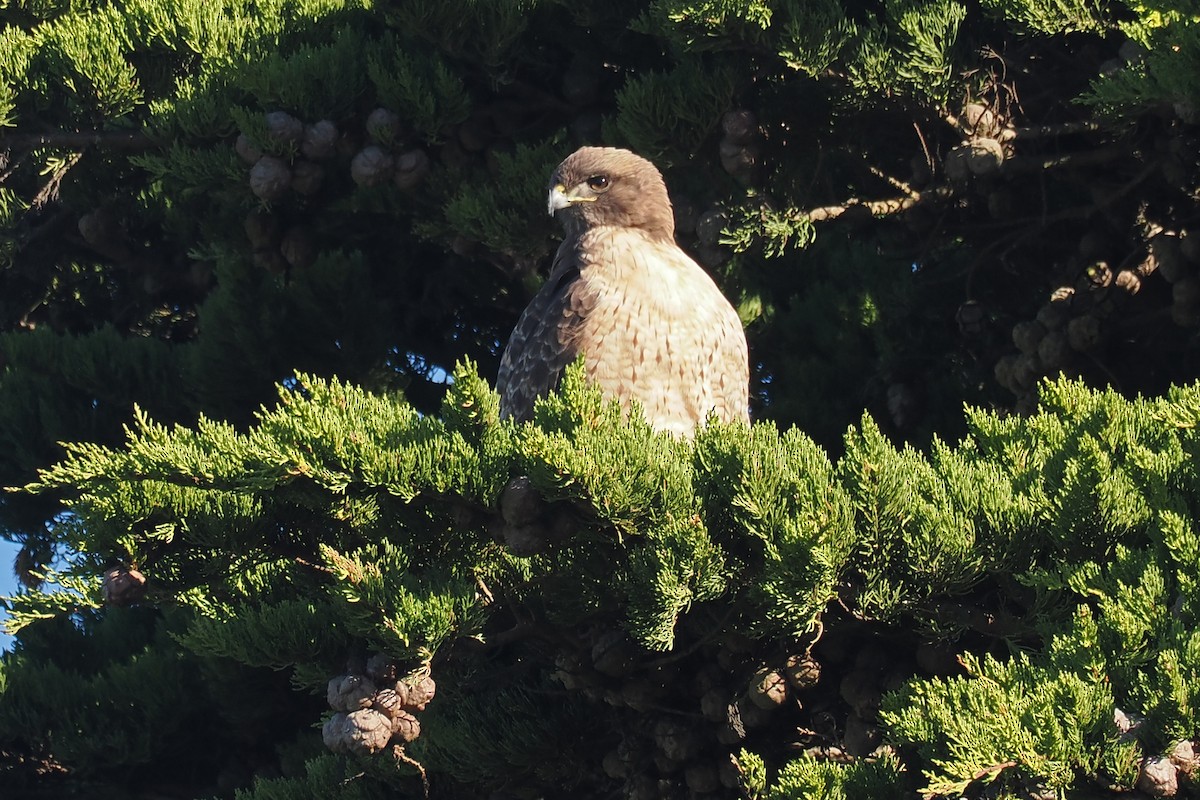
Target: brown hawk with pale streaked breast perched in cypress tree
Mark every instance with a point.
(651, 324)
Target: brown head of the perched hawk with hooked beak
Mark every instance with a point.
(608, 187)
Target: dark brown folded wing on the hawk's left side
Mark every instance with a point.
(545, 341)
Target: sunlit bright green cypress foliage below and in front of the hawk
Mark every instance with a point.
(380, 508)
